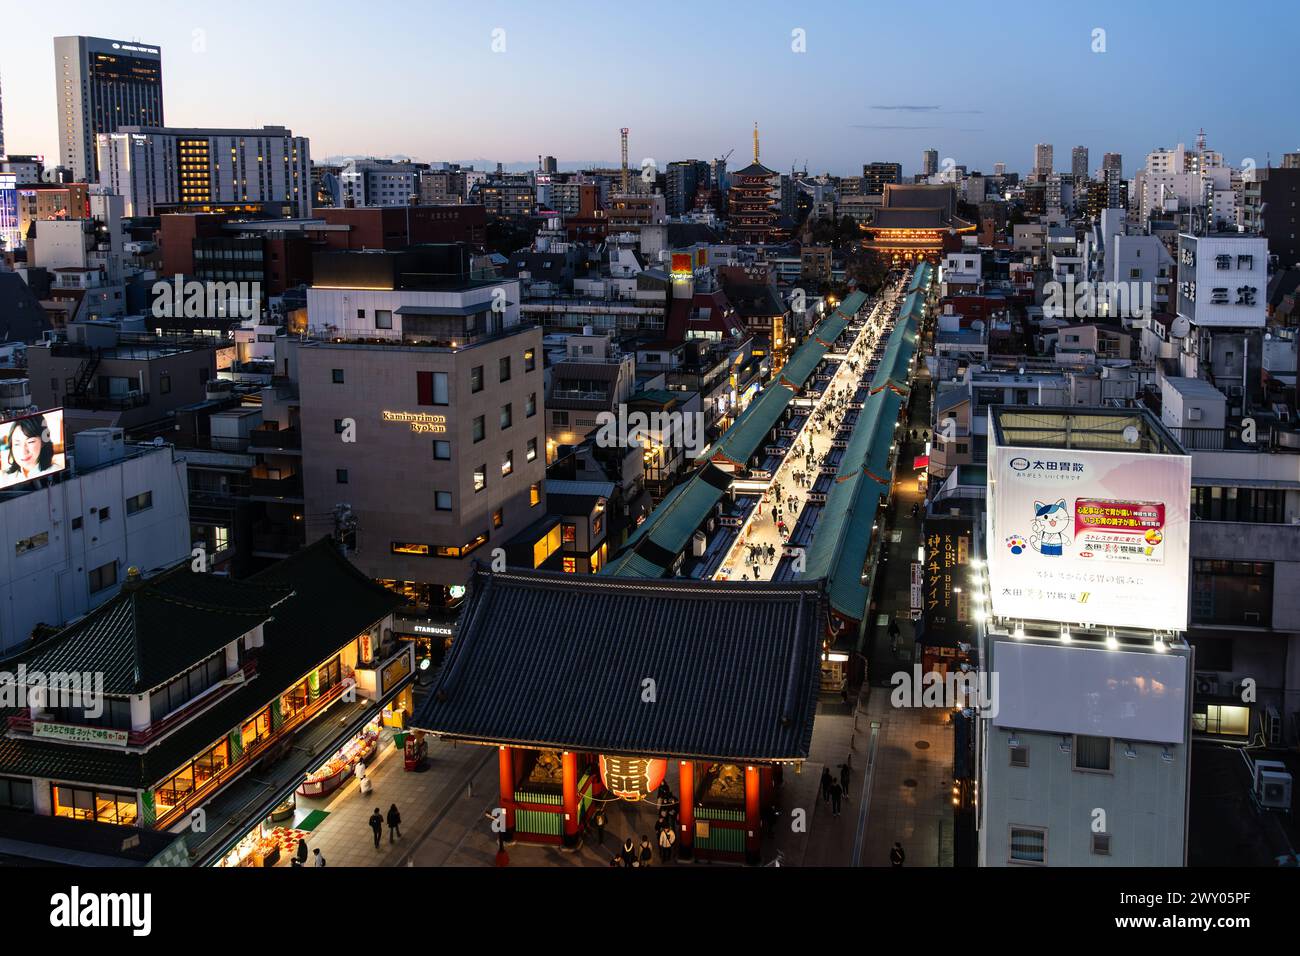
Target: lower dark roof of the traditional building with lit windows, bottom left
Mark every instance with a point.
(331, 604)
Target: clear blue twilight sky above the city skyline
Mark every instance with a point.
(981, 84)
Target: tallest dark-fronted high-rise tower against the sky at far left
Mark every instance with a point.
(102, 86)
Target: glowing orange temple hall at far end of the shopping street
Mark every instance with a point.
(917, 223)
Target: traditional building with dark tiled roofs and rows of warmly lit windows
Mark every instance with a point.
(224, 704)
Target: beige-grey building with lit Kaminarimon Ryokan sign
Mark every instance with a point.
(422, 406)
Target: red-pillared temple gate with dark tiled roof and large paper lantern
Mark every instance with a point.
(599, 689)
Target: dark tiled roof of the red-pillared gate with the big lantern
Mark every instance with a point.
(560, 661)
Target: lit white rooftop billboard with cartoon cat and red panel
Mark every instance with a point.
(1090, 538)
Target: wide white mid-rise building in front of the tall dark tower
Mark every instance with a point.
(161, 171)
